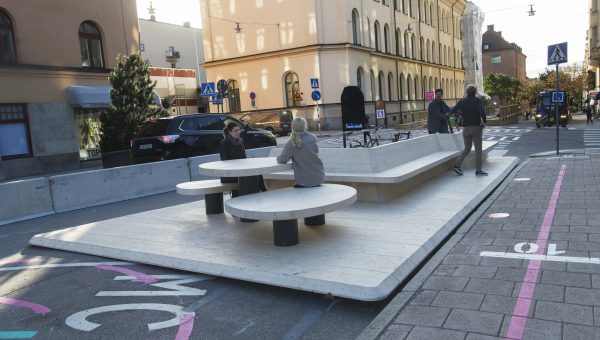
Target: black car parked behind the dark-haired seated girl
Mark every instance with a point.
(190, 135)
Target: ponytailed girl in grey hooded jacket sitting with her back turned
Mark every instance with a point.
(302, 149)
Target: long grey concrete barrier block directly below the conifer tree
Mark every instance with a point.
(91, 188)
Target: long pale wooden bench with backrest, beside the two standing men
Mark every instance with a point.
(384, 172)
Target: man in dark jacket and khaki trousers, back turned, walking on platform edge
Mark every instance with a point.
(473, 118)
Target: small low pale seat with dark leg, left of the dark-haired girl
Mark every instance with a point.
(213, 190)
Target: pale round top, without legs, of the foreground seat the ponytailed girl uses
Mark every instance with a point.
(292, 203)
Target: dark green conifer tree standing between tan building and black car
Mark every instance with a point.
(132, 104)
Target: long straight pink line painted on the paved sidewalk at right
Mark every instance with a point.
(519, 316)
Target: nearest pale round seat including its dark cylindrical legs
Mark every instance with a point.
(285, 206)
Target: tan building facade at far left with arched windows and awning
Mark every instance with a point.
(55, 57)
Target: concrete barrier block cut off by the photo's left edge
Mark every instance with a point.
(25, 199)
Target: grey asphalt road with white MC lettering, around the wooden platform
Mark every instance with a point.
(81, 292)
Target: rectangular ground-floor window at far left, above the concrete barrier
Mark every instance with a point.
(14, 131)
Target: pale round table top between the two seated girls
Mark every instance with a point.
(243, 167)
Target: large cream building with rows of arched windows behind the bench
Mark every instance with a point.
(394, 50)
